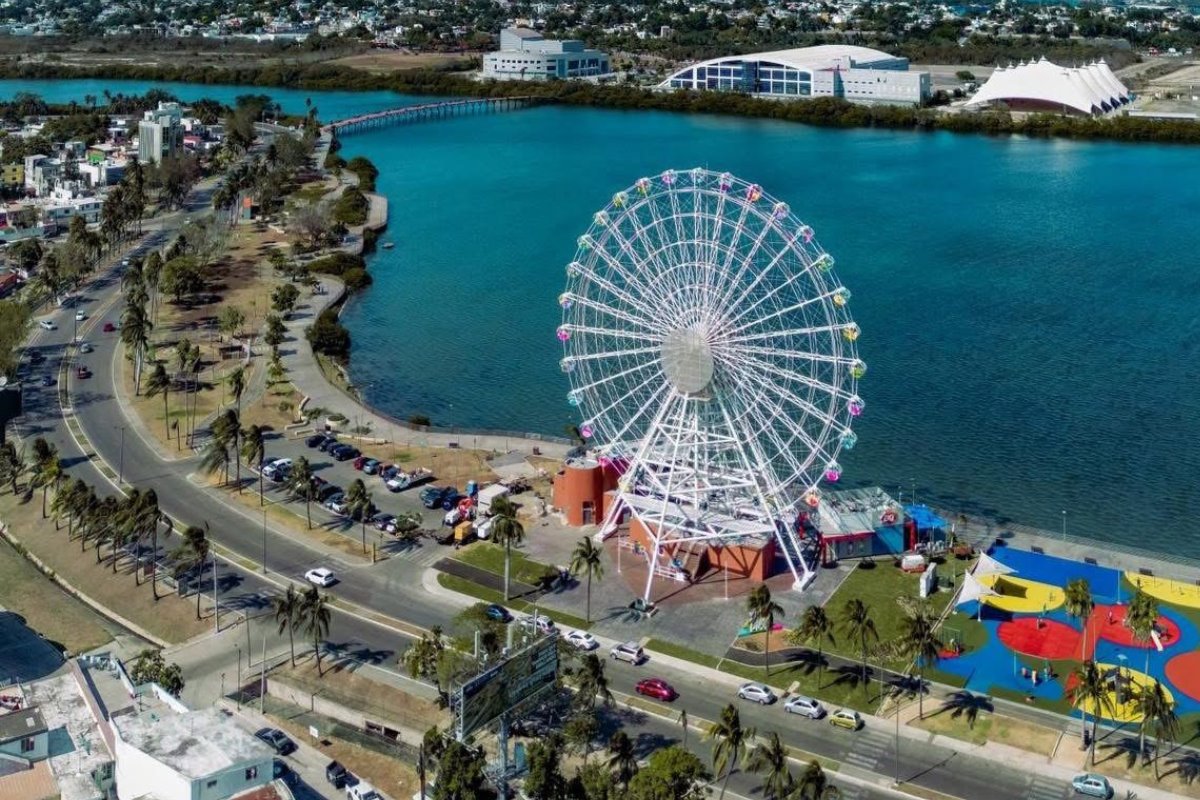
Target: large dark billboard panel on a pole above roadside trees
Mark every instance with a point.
(494, 693)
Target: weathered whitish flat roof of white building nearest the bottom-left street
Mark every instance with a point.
(195, 744)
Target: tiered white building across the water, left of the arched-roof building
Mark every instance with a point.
(526, 56)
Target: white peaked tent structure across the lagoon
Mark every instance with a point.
(1043, 86)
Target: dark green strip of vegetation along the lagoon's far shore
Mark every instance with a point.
(823, 112)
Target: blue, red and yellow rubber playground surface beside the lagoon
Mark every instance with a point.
(1033, 645)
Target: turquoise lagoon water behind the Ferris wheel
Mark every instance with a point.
(1030, 309)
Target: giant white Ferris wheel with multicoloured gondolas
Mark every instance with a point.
(710, 350)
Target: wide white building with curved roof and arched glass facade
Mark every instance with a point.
(854, 74)
